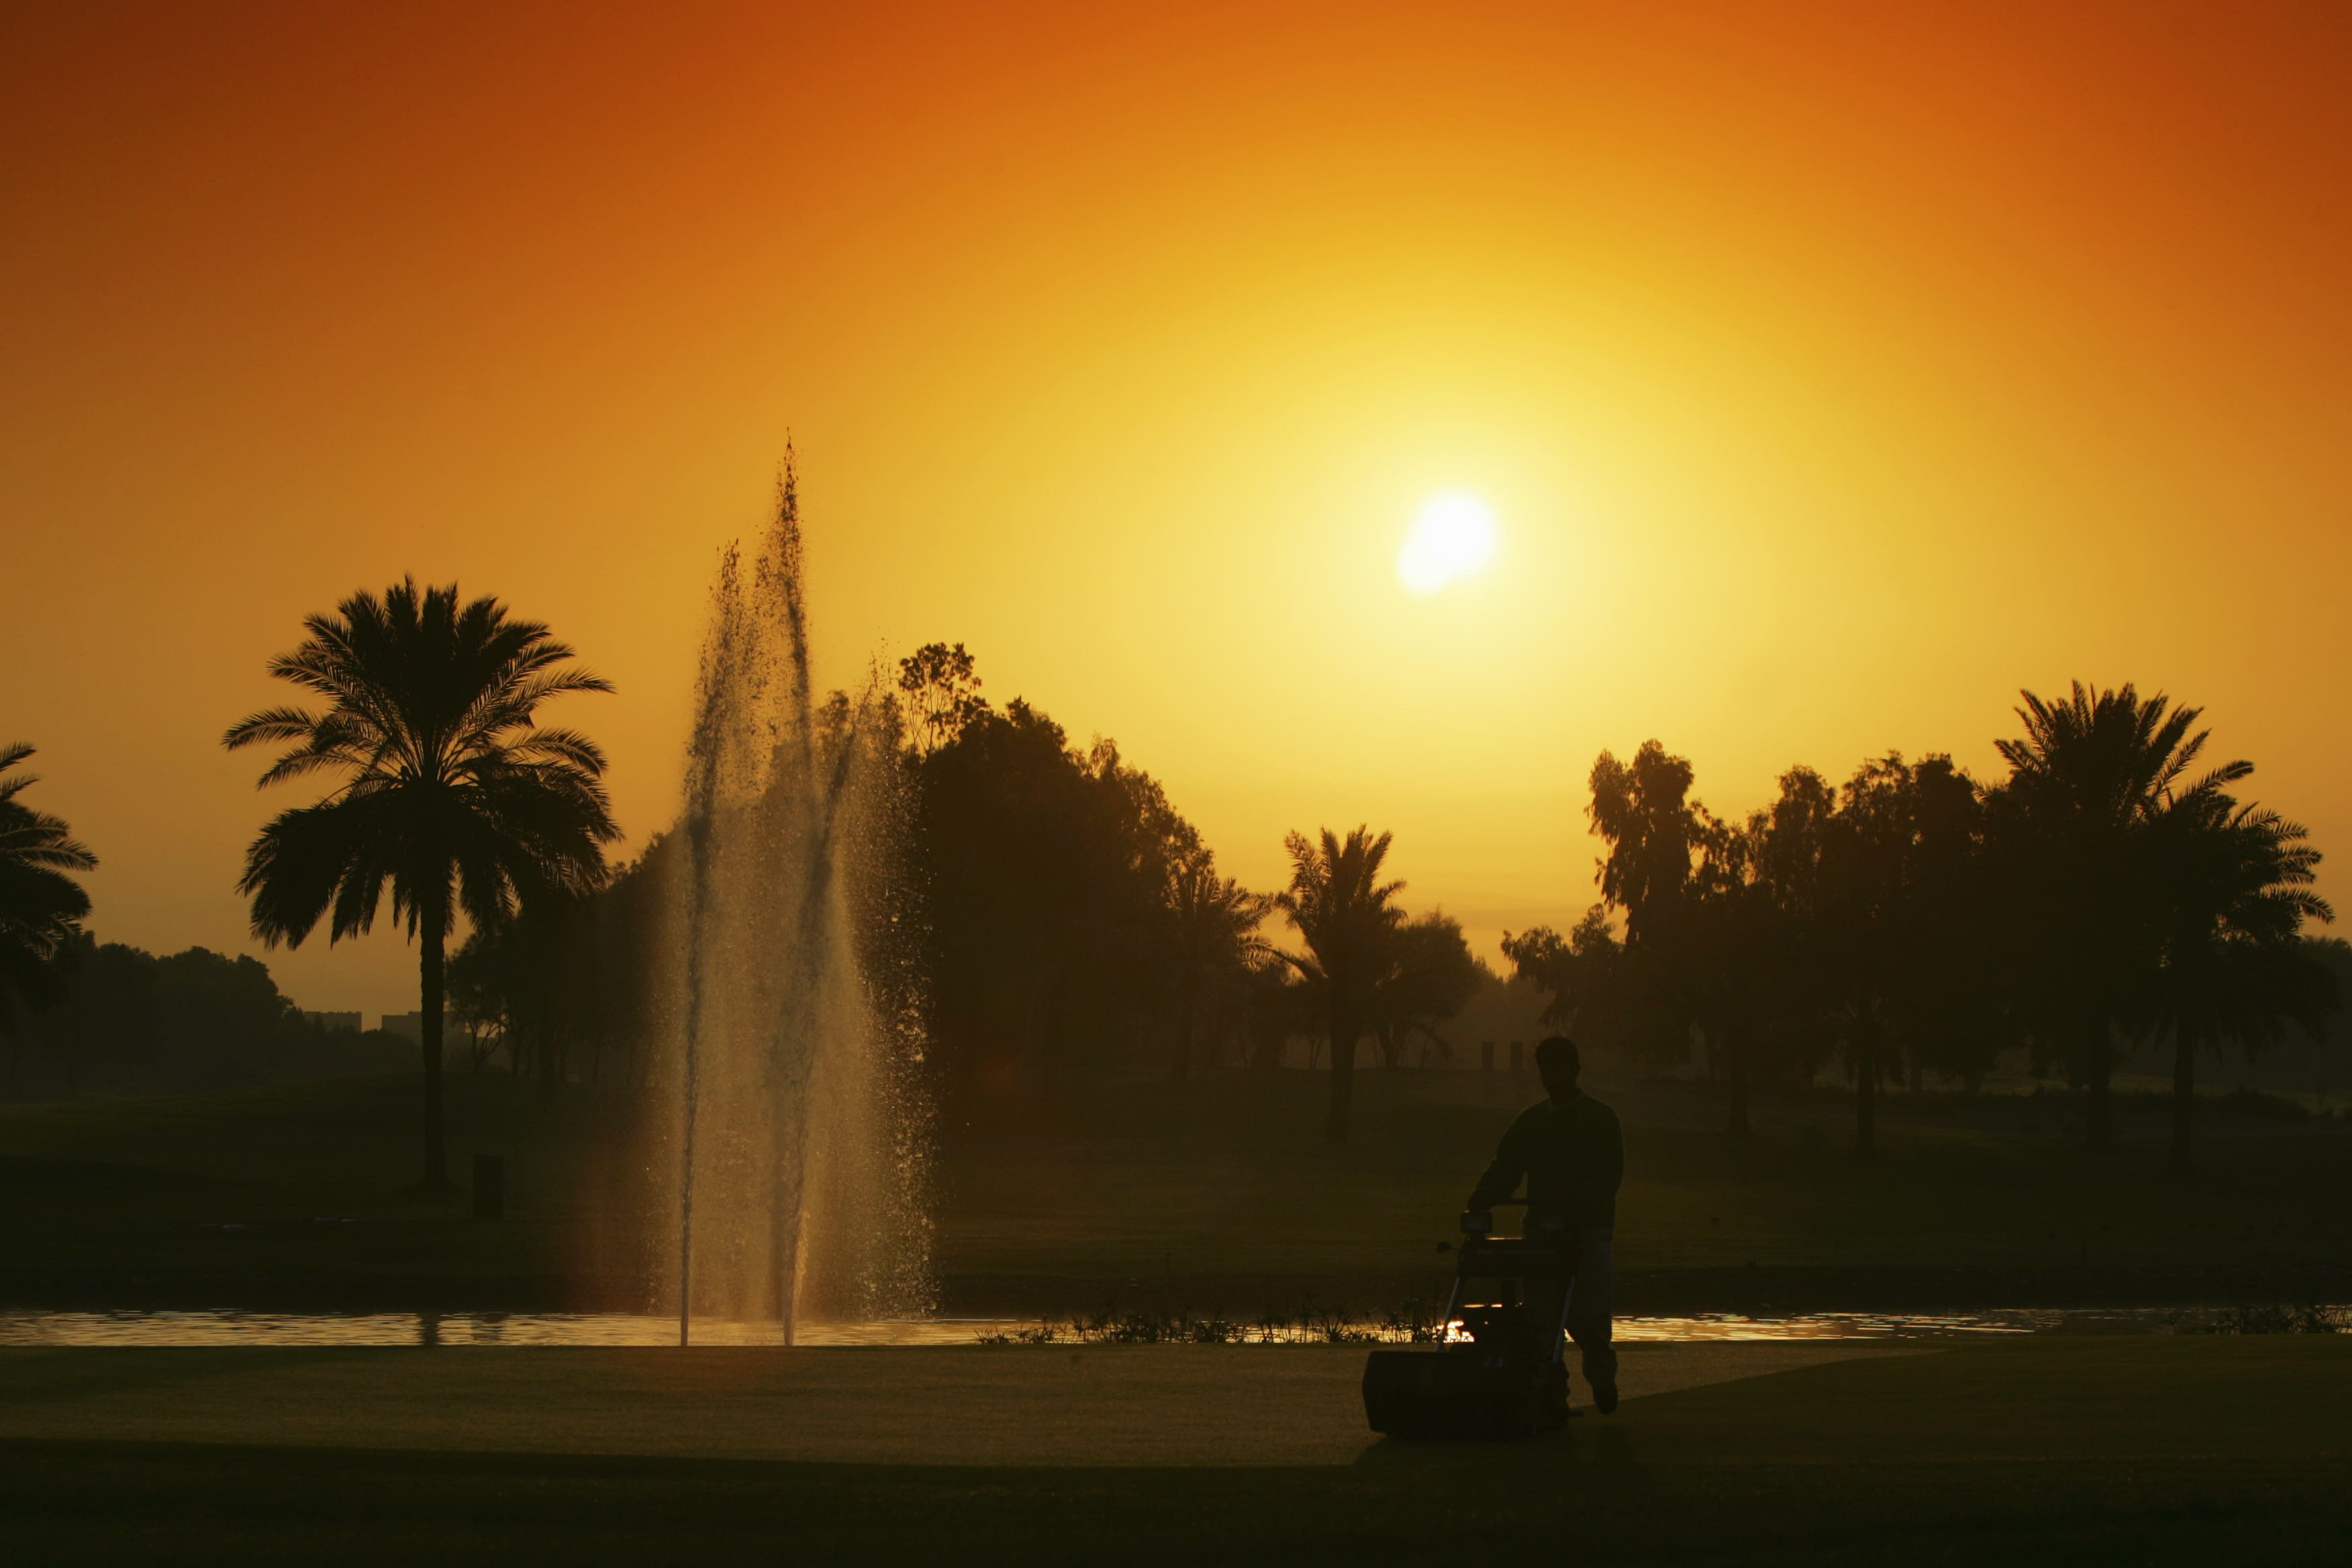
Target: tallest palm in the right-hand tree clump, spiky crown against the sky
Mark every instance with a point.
(2087, 784)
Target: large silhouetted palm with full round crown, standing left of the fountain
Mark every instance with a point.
(450, 791)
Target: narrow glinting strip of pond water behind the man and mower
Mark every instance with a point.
(29, 1327)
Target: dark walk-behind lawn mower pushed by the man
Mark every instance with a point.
(1499, 1367)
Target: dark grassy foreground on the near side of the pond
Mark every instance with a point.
(2045, 1452)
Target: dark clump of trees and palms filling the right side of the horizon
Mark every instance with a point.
(1916, 920)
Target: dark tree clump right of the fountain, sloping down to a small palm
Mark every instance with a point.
(1074, 918)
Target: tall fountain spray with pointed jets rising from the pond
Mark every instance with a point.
(789, 1068)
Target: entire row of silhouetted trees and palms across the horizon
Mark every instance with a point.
(1055, 913)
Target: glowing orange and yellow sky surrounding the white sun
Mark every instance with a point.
(1831, 373)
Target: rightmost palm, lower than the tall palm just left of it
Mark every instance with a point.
(2238, 887)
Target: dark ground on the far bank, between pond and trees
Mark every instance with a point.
(1215, 1195)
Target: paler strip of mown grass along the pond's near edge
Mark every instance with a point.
(1088, 1407)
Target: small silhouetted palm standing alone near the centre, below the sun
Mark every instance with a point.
(1347, 916)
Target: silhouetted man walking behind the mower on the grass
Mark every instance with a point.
(1572, 1155)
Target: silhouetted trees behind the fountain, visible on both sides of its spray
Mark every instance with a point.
(1060, 911)
